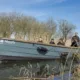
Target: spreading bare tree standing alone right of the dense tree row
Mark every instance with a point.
(65, 28)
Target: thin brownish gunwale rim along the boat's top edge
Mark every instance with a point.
(30, 42)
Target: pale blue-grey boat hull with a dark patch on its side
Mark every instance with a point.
(14, 49)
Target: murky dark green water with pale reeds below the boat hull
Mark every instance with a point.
(31, 68)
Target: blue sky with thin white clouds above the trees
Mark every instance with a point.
(44, 9)
